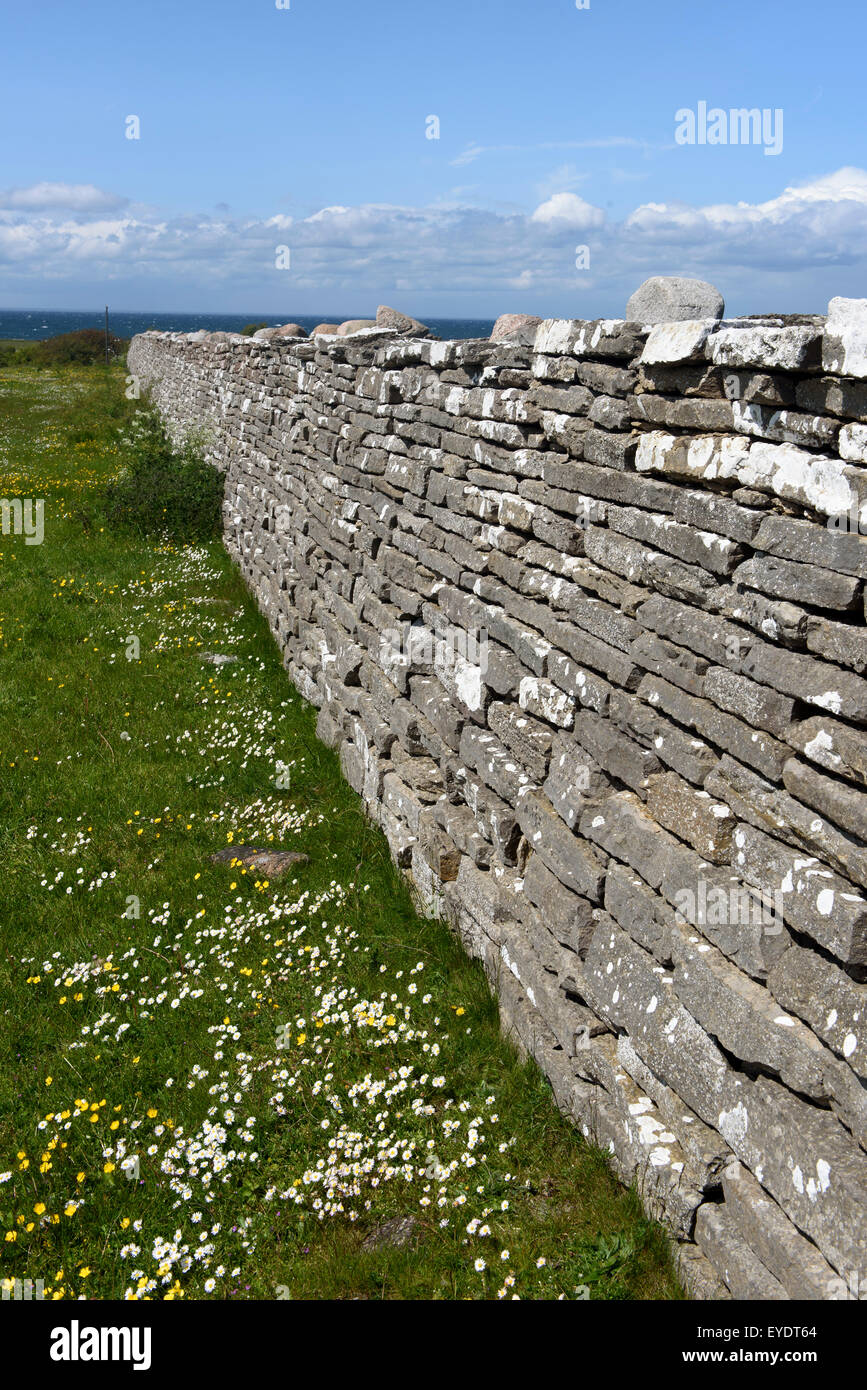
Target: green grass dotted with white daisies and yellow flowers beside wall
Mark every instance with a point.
(119, 780)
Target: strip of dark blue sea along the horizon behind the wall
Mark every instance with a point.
(49, 323)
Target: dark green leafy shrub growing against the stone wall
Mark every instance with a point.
(165, 489)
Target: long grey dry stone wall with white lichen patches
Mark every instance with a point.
(584, 618)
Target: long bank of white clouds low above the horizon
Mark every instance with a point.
(791, 252)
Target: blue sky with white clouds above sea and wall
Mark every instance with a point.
(306, 129)
